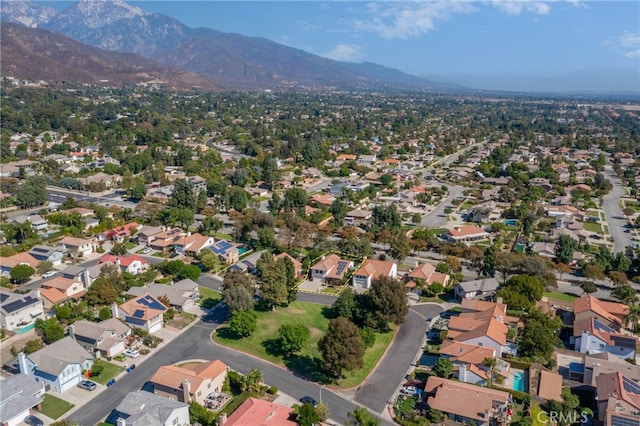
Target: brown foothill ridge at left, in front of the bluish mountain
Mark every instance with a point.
(37, 54)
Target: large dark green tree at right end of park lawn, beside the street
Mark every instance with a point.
(388, 300)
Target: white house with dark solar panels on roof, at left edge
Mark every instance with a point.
(18, 312)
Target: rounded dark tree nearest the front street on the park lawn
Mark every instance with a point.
(341, 348)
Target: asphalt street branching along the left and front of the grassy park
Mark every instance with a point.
(196, 344)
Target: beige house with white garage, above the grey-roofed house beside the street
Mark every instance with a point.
(107, 337)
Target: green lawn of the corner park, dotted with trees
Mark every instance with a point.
(307, 362)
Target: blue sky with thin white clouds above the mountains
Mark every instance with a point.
(540, 39)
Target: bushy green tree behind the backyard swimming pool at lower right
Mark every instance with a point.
(540, 335)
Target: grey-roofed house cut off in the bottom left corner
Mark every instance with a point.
(19, 394)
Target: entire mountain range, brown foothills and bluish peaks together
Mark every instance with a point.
(117, 43)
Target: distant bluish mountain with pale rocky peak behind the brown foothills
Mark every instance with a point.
(231, 60)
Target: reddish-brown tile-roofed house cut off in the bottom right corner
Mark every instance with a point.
(618, 400)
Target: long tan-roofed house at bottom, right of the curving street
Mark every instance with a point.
(464, 402)
